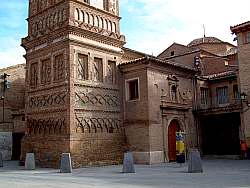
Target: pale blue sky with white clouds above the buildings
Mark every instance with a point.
(150, 26)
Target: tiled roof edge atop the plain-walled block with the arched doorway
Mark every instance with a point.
(156, 60)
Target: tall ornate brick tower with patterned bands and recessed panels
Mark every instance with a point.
(73, 101)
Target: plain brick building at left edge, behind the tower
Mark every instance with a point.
(14, 119)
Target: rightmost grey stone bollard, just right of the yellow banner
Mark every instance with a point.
(195, 163)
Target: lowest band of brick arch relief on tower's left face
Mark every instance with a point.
(48, 126)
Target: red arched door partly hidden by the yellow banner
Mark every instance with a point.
(172, 129)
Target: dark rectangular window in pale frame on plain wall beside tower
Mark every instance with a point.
(132, 87)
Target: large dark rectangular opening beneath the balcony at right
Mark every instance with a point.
(220, 134)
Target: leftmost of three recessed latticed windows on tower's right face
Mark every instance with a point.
(82, 67)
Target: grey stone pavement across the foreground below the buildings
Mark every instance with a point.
(217, 174)
